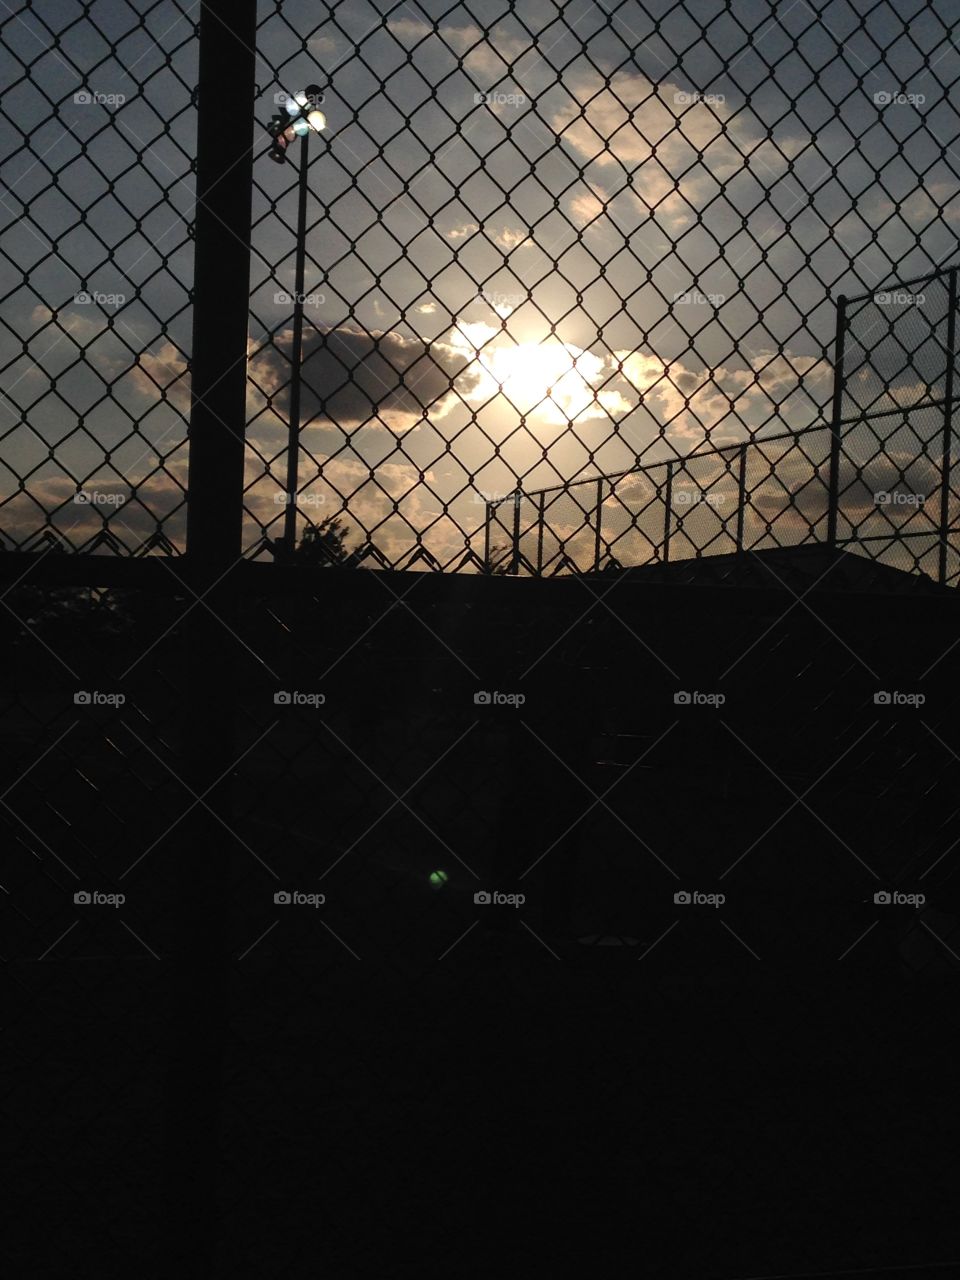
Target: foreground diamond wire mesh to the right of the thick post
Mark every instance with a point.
(548, 246)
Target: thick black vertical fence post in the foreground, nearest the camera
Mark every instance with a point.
(196, 854)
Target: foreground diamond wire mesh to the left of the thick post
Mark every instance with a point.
(98, 132)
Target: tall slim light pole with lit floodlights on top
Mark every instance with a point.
(301, 118)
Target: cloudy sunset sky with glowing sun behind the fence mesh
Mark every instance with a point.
(546, 241)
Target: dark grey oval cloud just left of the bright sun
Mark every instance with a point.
(350, 377)
